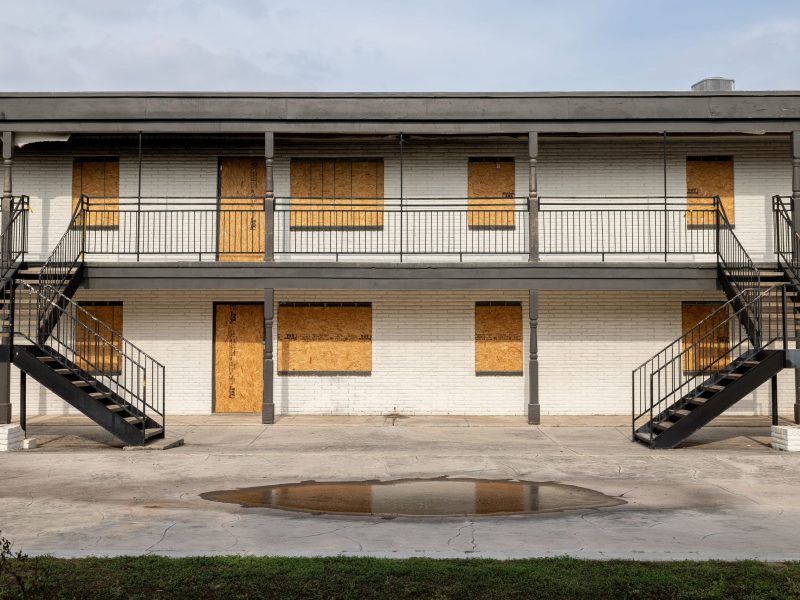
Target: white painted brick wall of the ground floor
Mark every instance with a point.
(423, 353)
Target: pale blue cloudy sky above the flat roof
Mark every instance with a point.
(396, 46)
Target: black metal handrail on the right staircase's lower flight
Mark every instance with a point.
(750, 322)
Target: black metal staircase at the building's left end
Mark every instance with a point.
(70, 352)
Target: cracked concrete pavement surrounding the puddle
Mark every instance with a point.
(726, 495)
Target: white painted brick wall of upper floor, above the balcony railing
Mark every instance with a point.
(439, 168)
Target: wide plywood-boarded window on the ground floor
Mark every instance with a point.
(324, 339)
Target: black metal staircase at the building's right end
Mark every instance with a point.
(725, 357)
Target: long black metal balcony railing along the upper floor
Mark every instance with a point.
(235, 229)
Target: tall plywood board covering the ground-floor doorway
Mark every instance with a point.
(238, 357)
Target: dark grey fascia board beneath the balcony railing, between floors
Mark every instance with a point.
(544, 276)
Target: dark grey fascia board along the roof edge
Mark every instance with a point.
(268, 110)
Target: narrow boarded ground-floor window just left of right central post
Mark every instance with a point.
(498, 338)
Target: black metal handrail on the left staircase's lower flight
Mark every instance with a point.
(92, 350)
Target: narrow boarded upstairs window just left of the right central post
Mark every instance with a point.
(490, 187)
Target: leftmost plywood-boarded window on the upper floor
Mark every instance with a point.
(97, 178)
